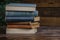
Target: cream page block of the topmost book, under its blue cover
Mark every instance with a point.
(20, 8)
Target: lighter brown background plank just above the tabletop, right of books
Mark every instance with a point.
(50, 21)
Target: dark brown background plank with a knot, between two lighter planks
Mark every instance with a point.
(49, 11)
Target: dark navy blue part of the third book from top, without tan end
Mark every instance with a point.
(19, 19)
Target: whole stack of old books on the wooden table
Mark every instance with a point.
(22, 18)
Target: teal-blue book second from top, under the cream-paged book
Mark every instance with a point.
(21, 13)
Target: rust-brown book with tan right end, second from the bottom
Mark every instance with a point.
(23, 26)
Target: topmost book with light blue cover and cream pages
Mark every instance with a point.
(21, 7)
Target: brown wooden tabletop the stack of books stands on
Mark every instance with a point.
(43, 33)
